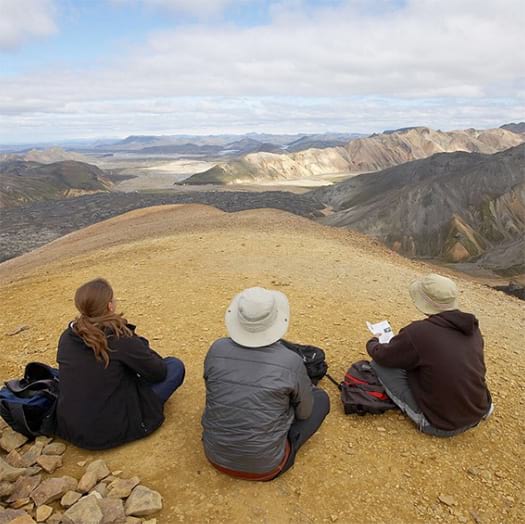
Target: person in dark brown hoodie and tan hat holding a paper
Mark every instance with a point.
(434, 369)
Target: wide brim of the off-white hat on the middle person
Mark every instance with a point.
(272, 334)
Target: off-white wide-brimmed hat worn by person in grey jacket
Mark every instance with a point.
(257, 317)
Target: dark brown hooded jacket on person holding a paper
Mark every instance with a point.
(443, 356)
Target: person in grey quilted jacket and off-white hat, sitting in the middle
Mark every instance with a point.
(261, 406)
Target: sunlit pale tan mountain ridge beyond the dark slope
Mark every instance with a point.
(361, 155)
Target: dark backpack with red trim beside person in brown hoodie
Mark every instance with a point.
(361, 391)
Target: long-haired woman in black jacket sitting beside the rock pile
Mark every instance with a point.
(113, 386)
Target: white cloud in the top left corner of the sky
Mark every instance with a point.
(21, 20)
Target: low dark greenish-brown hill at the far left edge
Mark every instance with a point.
(22, 182)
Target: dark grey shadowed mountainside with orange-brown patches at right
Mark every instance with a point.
(454, 206)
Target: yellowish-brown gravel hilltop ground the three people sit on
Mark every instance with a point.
(174, 270)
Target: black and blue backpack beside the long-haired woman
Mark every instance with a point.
(28, 404)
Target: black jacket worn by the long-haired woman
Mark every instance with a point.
(98, 407)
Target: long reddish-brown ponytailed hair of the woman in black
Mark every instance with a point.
(96, 321)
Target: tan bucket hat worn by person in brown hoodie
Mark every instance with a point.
(433, 294)
